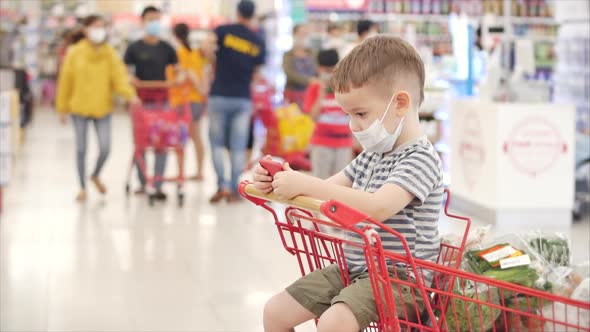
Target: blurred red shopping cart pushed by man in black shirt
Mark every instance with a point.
(158, 128)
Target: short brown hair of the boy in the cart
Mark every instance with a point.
(386, 60)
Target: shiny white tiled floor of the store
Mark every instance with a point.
(116, 264)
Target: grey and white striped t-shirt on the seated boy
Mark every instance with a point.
(416, 167)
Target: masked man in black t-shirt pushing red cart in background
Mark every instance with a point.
(149, 57)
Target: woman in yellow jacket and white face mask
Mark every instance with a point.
(92, 72)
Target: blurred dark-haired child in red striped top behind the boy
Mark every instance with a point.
(331, 142)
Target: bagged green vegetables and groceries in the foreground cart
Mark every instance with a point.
(536, 261)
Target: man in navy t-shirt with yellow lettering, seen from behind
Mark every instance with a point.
(240, 53)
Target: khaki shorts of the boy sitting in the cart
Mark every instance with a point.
(323, 288)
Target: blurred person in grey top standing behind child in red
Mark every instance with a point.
(299, 66)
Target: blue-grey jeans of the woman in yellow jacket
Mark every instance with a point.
(103, 131)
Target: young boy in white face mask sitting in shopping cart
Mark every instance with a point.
(397, 179)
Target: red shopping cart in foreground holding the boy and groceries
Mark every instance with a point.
(455, 300)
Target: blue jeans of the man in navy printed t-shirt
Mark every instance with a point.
(229, 122)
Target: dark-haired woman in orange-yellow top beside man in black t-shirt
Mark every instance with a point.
(193, 90)
